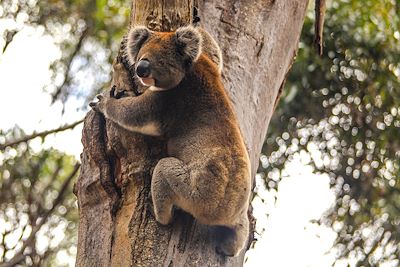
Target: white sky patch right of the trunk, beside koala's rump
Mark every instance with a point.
(290, 239)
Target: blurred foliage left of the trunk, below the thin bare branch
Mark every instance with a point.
(38, 211)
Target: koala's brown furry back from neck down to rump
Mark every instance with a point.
(205, 136)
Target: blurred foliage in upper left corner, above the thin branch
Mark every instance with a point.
(84, 31)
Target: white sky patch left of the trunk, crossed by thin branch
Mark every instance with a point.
(24, 70)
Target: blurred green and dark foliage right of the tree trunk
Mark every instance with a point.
(343, 110)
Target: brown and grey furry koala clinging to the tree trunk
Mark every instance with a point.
(207, 171)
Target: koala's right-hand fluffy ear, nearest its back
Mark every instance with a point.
(189, 42)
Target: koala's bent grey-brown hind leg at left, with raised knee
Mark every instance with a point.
(169, 176)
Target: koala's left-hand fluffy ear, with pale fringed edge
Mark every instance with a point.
(137, 36)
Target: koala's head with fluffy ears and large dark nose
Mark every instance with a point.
(161, 59)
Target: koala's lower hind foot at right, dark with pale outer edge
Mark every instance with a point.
(231, 240)
